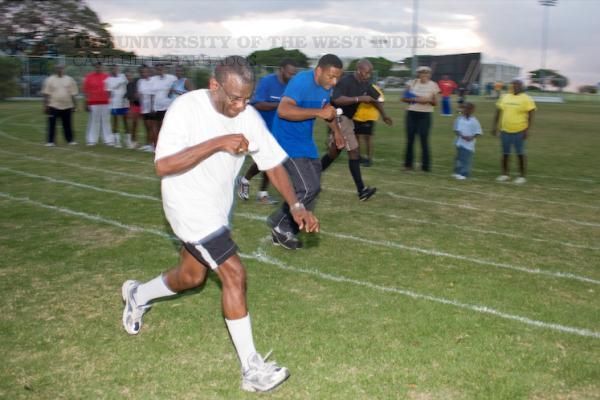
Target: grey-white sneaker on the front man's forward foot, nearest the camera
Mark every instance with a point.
(262, 376)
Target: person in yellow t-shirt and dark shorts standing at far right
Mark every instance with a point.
(515, 112)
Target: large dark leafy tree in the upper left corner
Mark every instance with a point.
(66, 27)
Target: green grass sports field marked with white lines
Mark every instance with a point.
(434, 289)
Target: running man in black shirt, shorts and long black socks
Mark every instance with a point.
(348, 94)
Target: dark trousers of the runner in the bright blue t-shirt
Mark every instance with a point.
(305, 174)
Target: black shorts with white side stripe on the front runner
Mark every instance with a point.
(214, 249)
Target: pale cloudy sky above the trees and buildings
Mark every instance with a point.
(503, 30)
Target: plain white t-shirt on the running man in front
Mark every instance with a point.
(198, 202)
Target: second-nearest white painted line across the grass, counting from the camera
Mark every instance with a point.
(563, 275)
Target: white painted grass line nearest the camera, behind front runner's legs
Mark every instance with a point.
(260, 256)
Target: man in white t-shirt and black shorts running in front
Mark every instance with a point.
(201, 149)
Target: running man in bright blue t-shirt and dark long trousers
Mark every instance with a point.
(306, 98)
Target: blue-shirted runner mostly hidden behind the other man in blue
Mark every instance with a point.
(266, 99)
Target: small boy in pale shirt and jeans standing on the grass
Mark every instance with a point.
(467, 128)
